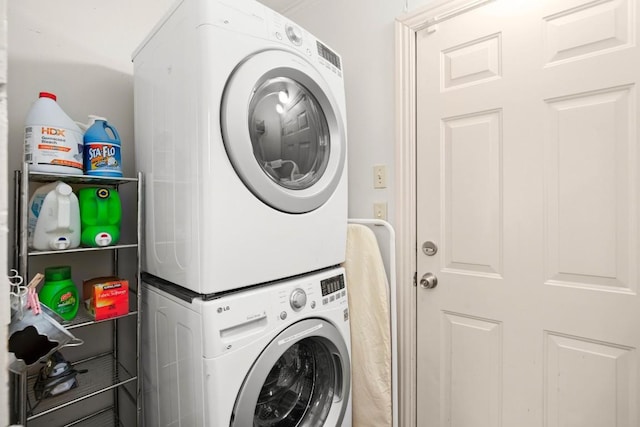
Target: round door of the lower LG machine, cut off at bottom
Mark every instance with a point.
(302, 378)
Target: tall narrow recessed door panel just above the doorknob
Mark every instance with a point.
(473, 193)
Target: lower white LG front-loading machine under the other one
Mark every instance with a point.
(273, 355)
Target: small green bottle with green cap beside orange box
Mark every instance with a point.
(59, 293)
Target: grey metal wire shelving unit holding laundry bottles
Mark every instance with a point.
(105, 373)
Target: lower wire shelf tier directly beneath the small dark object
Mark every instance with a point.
(104, 374)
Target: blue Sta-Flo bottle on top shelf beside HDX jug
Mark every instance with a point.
(102, 155)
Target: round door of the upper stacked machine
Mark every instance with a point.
(283, 131)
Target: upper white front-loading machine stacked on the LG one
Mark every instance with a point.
(240, 133)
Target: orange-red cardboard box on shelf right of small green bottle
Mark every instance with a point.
(106, 297)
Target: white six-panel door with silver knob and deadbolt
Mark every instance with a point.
(528, 183)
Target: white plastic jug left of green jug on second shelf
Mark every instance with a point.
(54, 218)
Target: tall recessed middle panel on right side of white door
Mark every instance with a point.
(588, 183)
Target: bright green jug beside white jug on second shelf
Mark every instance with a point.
(100, 216)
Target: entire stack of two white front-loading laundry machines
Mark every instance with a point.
(240, 134)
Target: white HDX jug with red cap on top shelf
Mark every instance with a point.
(52, 141)
